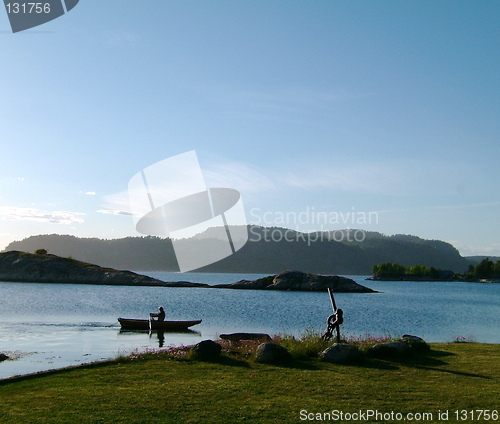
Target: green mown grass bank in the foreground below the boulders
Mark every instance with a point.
(454, 376)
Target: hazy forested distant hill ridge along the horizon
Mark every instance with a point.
(269, 250)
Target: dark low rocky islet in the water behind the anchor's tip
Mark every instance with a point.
(301, 281)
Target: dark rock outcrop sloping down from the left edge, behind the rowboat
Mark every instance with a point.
(46, 268)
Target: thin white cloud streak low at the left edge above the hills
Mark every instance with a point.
(15, 213)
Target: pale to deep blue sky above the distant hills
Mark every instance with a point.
(350, 109)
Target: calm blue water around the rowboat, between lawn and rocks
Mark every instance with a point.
(48, 326)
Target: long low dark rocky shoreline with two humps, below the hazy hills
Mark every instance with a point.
(25, 267)
